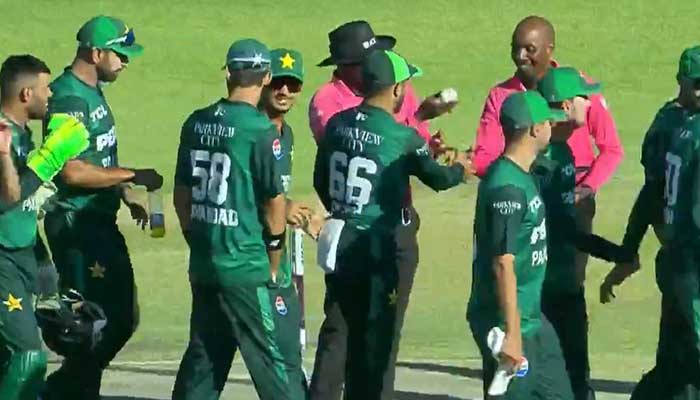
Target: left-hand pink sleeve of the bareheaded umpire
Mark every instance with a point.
(489, 136)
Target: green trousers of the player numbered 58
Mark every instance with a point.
(223, 320)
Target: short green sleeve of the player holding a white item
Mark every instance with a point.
(505, 212)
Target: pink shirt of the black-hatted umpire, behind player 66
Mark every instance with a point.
(336, 96)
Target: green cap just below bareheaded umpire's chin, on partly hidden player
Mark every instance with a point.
(565, 83)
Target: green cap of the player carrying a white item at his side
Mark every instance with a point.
(522, 110)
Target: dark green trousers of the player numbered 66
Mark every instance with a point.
(366, 283)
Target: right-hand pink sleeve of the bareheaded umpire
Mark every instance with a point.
(610, 153)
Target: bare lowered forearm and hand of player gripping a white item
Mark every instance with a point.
(506, 290)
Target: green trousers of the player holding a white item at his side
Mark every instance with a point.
(547, 378)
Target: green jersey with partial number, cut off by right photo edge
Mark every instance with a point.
(682, 186)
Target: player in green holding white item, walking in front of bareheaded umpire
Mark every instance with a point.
(510, 258)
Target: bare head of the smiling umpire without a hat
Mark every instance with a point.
(532, 47)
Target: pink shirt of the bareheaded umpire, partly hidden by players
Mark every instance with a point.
(599, 125)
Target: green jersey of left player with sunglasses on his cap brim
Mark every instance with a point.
(87, 104)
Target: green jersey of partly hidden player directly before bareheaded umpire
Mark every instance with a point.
(556, 173)
